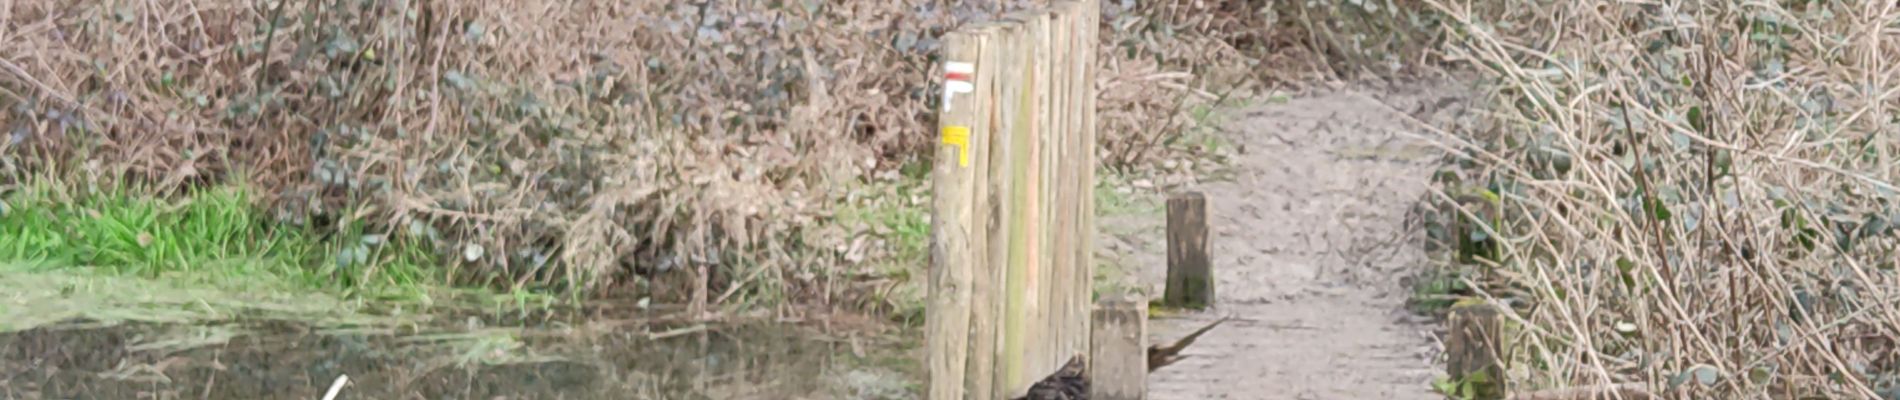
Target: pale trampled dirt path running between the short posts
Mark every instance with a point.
(1312, 245)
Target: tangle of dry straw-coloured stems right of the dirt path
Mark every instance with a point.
(1690, 196)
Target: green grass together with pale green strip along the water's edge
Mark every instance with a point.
(115, 257)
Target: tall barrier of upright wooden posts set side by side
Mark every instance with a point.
(1014, 223)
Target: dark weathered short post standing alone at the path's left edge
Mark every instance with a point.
(1190, 272)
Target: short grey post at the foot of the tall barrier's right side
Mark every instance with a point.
(1118, 350)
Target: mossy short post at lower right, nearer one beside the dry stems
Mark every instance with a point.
(1473, 350)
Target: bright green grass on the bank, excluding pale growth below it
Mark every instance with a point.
(214, 232)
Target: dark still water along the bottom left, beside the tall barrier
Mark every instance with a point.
(299, 361)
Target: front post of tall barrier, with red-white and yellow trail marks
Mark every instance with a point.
(955, 225)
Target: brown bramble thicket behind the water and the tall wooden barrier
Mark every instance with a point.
(691, 151)
